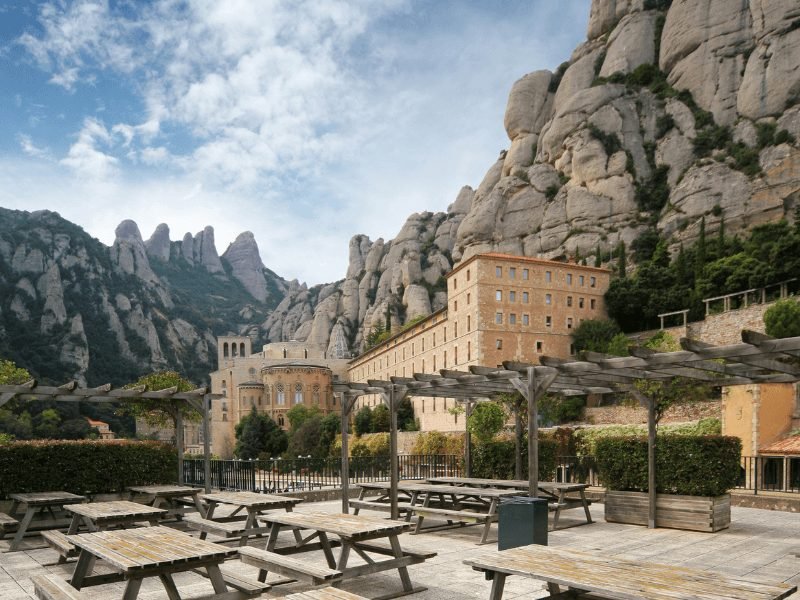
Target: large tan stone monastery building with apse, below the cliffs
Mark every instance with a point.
(500, 307)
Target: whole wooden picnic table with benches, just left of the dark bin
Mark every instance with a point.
(366, 536)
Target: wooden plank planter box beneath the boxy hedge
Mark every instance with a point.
(694, 513)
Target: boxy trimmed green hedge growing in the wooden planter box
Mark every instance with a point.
(686, 465)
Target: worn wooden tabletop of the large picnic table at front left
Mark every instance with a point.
(130, 550)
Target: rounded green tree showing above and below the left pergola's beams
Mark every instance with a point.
(161, 412)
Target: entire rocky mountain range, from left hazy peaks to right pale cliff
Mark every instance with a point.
(672, 112)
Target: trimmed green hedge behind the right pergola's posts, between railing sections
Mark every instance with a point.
(495, 459)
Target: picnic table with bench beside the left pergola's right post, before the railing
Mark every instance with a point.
(234, 525)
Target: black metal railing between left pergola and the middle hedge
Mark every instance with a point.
(282, 475)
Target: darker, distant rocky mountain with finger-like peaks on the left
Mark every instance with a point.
(72, 307)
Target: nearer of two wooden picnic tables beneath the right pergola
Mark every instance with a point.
(453, 503)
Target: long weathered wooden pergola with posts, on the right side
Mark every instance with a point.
(758, 359)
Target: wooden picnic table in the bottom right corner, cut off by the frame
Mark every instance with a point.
(613, 578)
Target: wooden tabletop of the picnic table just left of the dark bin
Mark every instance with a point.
(346, 526)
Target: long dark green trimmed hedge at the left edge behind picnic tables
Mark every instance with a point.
(84, 466)
